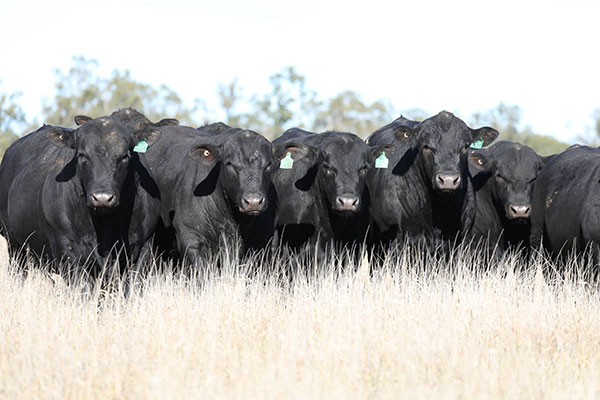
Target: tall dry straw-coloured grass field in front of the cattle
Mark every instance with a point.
(407, 329)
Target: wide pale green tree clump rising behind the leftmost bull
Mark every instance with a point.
(80, 90)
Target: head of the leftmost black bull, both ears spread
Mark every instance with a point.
(103, 150)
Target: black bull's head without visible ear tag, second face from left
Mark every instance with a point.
(245, 169)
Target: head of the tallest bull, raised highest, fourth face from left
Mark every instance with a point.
(443, 142)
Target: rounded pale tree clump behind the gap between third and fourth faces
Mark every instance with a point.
(347, 112)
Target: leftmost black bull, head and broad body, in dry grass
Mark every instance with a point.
(78, 193)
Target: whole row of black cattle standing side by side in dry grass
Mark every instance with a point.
(121, 187)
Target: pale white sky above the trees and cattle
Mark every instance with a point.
(462, 56)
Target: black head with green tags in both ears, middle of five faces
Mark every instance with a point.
(340, 163)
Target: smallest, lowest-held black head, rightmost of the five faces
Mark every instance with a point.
(513, 169)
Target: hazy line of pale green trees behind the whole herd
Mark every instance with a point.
(288, 102)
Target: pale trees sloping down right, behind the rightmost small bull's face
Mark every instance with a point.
(507, 119)
